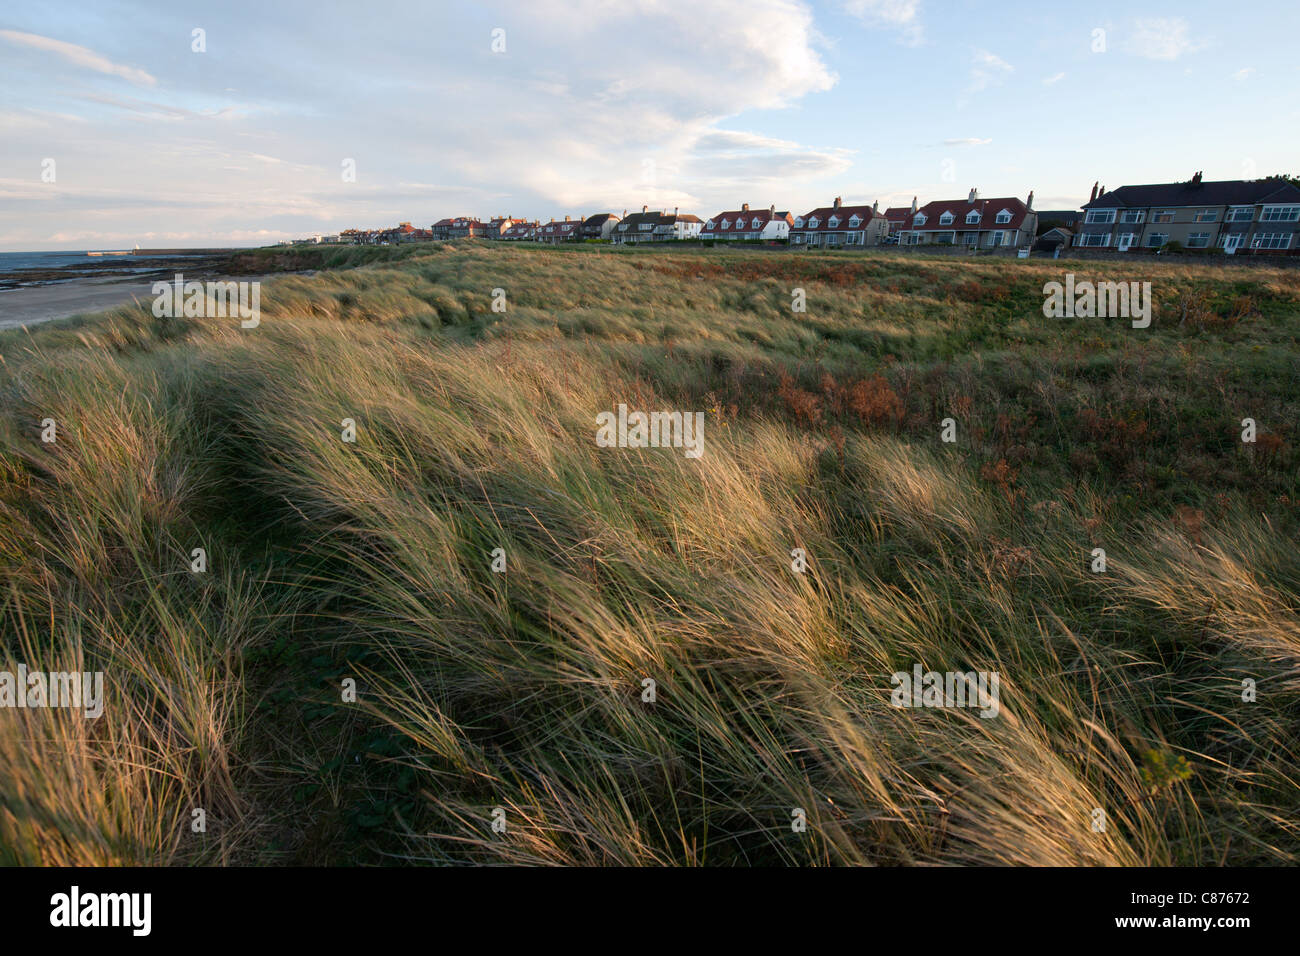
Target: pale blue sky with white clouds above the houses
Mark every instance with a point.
(236, 123)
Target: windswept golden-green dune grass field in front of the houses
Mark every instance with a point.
(330, 561)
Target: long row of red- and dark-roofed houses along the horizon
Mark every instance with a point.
(1259, 215)
